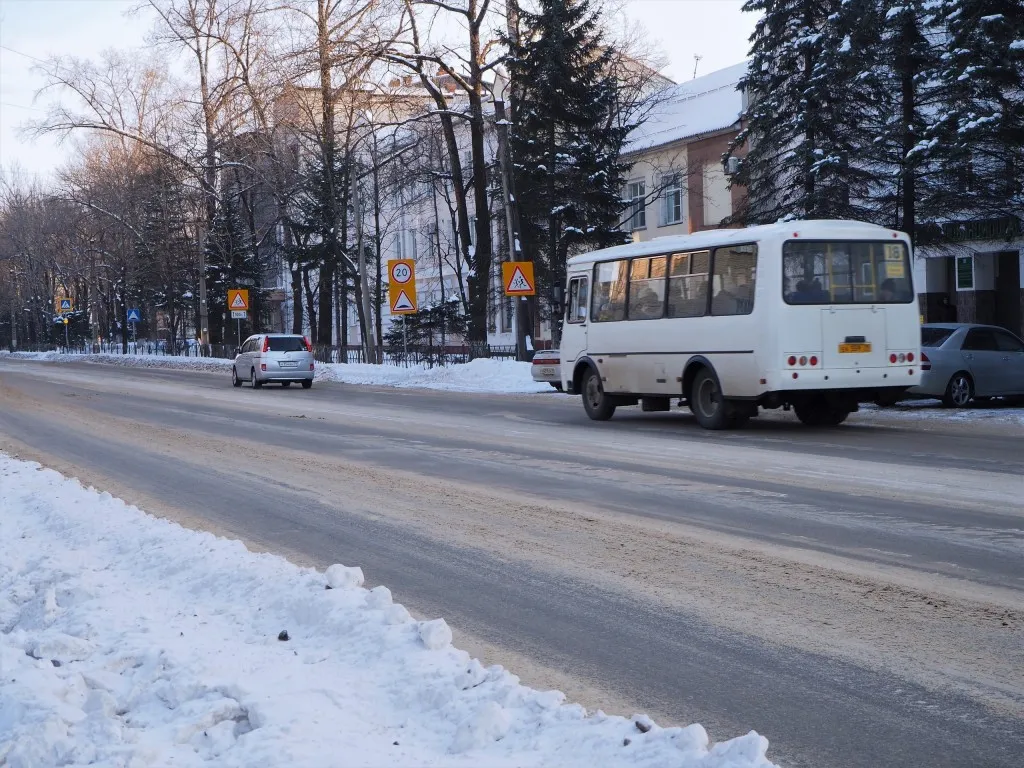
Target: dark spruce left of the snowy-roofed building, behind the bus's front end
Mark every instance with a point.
(567, 137)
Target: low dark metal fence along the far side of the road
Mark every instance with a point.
(415, 356)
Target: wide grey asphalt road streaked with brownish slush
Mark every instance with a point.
(856, 594)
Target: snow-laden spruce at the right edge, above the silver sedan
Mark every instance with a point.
(982, 133)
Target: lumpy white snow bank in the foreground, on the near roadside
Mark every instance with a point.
(130, 641)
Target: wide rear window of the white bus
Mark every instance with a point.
(846, 273)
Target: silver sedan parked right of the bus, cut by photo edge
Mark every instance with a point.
(964, 362)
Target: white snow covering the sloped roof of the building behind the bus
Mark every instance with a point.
(701, 106)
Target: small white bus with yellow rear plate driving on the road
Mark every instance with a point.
(814, 316)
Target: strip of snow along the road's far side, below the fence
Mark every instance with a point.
(489, 376)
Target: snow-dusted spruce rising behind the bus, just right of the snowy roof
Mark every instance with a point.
(802, 129)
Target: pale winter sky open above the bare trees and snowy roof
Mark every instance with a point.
(715, 30)
